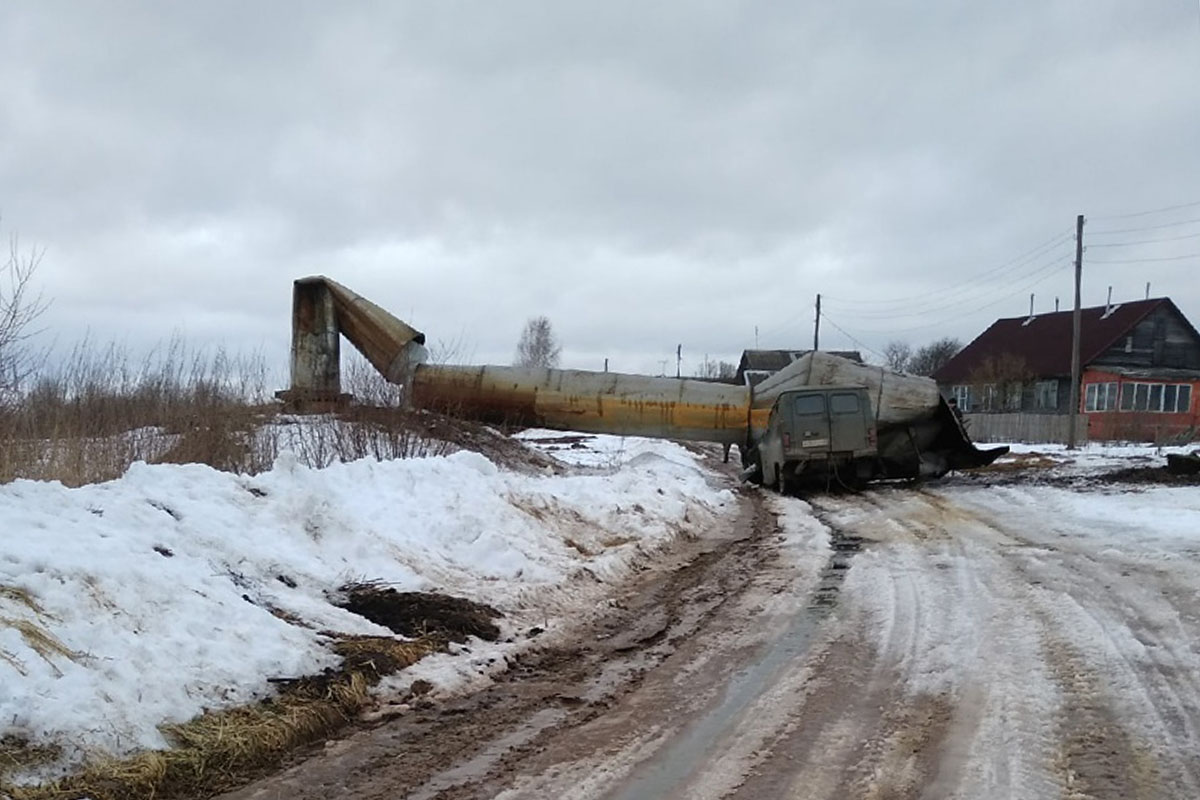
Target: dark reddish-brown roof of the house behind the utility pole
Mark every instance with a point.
(1045, 344)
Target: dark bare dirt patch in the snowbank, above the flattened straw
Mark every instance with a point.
(422, 613)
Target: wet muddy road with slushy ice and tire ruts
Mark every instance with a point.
(956, 642)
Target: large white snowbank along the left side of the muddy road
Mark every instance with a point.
(153, 598)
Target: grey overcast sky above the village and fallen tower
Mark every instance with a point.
(644, 175)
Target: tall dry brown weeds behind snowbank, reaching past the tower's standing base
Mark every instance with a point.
(88, 419)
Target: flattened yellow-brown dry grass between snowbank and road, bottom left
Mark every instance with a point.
(219, 751)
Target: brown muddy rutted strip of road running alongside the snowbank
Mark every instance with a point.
(475, 747)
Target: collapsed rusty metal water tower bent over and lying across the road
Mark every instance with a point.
(919, 434)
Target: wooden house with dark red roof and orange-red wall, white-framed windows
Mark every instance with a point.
(1141, 370)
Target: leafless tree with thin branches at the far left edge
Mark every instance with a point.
(21, 305)
